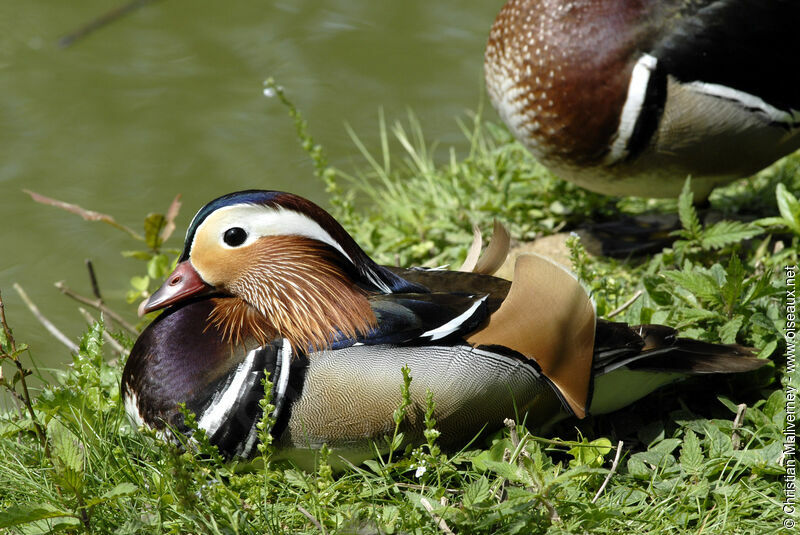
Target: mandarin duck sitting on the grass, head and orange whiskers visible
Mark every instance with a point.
(269, 285)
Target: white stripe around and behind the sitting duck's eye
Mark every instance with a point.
(259, 221)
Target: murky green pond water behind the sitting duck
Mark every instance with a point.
(168, 100)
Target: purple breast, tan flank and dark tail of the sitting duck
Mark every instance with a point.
(345, 396)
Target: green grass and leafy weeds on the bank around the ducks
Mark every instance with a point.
(685, 466)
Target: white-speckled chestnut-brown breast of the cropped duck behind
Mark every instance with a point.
(558, 73)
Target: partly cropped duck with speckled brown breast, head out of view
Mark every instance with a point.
(629, 97)
